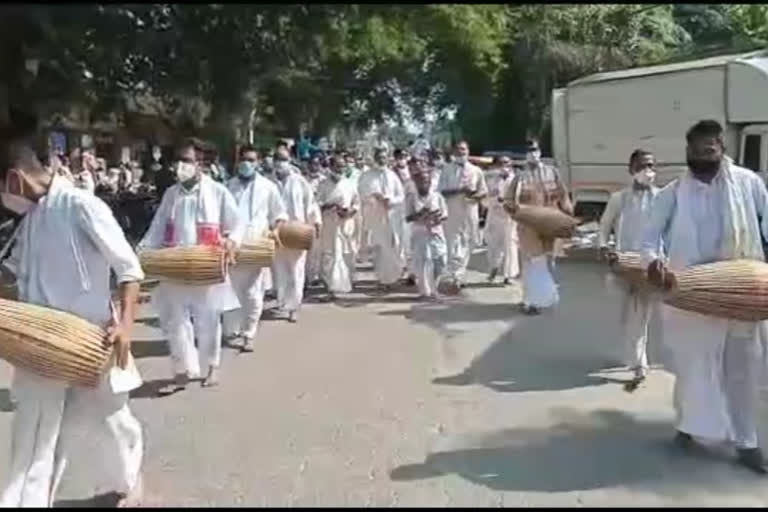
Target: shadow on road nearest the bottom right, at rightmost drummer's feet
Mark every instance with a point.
(602, 450)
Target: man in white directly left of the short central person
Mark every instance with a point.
(382, 196)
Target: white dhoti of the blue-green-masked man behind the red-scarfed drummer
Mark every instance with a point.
(249, 285)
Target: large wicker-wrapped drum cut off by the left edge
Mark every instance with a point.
(52, 343)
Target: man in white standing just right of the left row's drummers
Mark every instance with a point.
(339, 201)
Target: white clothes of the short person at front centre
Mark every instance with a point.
(427, 242)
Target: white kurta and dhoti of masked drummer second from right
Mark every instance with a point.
(627, 214)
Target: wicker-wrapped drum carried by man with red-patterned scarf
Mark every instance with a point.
(195, 265)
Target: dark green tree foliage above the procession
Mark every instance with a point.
(282, 66)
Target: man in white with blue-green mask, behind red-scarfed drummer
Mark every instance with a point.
(261, 209)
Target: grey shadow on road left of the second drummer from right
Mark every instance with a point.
(560, 349)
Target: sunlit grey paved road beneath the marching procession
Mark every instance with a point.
(385, 402)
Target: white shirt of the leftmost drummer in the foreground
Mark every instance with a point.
(66, 247)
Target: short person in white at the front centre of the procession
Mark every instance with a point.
(426, 211)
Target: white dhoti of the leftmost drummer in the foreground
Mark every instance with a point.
(50, 420)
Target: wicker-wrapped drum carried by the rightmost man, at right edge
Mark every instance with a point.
(736, 290)
